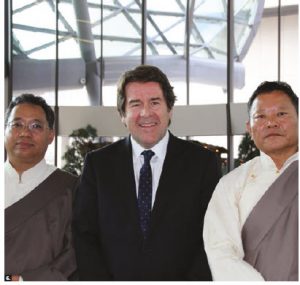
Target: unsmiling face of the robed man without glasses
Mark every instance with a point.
(274, 124)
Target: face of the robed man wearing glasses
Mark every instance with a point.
(27, 147)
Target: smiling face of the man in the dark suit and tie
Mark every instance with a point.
(146, 113)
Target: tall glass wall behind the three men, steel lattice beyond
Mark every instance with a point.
(73, 53)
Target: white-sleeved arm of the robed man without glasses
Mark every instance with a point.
(222, 239)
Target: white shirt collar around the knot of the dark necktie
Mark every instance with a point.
(160, 149)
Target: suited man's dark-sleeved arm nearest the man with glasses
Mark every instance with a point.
(89, 253)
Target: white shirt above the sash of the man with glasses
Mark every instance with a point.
(18, 186)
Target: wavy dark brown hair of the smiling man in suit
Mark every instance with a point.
(144, 73)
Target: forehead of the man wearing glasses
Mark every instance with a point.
(27, 111)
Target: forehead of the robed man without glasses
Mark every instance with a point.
(274, 99)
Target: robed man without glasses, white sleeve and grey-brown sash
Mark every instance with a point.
(241, 194)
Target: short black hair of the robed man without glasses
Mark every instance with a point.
(270, 86)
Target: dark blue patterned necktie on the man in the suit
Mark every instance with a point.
(145, 192)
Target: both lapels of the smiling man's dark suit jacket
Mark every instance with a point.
(166, 189)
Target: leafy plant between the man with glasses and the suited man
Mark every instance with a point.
(82, 140)
